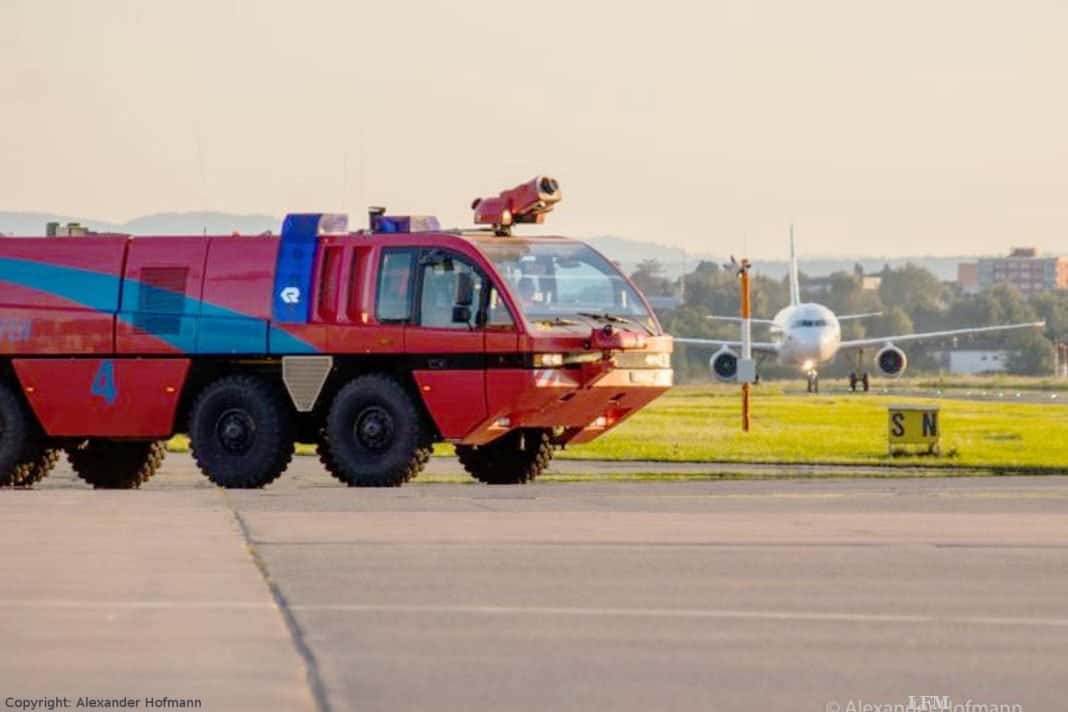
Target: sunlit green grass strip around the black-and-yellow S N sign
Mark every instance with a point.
(703, 423)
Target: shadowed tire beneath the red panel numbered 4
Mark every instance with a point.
(117, 465)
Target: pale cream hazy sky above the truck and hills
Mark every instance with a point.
(907, 128)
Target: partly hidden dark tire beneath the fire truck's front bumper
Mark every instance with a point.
(513, 460)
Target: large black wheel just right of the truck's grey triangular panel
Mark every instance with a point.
(375, 435)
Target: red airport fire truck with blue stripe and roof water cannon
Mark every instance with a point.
(373, 345)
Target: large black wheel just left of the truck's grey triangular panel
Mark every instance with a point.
(242, 432)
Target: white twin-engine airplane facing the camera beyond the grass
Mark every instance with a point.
(807, 335)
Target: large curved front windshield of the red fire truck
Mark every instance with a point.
(555, 281)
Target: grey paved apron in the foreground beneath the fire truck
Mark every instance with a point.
(802, 594)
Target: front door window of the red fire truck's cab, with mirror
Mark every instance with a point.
(451, 292)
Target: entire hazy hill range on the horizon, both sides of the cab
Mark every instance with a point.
(627, 254)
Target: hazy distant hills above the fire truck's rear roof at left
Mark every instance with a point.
(164, 224)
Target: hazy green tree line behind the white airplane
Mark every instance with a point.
(910, 298)
